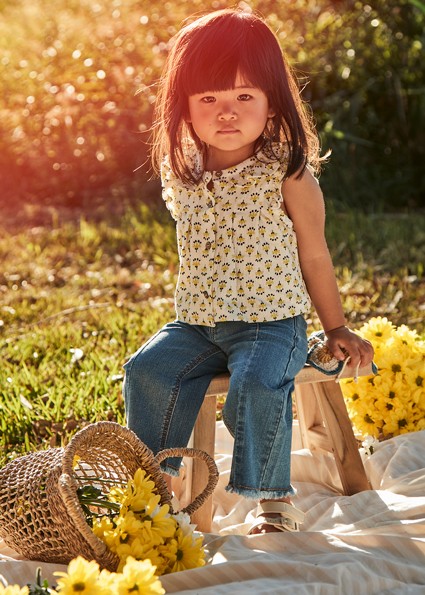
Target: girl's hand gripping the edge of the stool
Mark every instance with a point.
(343, 343)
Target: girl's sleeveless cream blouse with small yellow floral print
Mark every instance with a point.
(237, 247)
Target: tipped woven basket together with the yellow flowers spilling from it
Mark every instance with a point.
(102, 497)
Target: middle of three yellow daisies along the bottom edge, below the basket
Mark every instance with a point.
(81, 577)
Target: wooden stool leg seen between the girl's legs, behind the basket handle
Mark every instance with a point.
(204, 439)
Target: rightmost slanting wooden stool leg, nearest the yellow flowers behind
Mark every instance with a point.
(340, 433)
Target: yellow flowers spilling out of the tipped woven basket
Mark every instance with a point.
(136, 524)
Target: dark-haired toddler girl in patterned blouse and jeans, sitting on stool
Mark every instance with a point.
(237, 154)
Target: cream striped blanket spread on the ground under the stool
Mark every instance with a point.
(369, 543)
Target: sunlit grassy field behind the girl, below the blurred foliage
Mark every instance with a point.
(80, 294)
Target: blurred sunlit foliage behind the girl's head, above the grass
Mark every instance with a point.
(77, 85)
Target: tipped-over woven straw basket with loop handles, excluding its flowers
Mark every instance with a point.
(40, 514)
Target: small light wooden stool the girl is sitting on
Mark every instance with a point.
(324, 424)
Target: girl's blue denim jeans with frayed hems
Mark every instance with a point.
(166, 379)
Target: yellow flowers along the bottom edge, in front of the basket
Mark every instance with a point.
(86, 578)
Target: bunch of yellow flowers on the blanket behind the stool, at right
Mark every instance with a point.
(393, 401)
